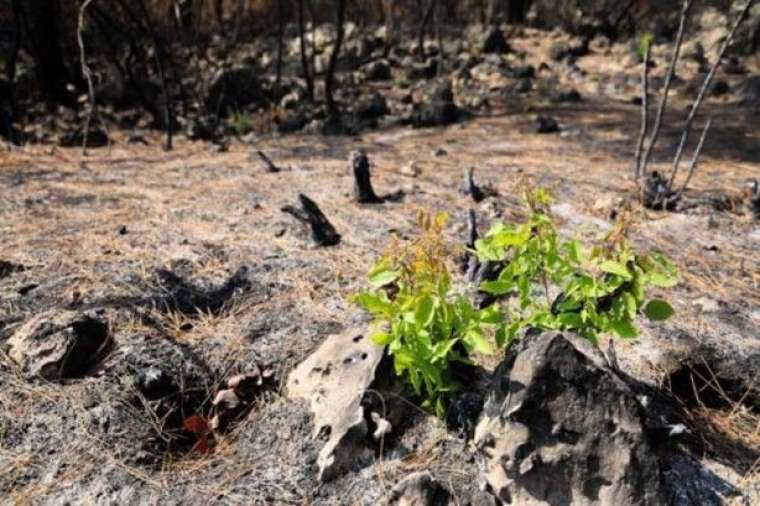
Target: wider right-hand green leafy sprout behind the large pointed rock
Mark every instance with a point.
(560, 284)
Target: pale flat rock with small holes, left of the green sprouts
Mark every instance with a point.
(334, 379)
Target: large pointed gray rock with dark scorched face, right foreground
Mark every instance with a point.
(560, 427)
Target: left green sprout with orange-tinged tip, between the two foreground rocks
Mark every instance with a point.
(425, 325)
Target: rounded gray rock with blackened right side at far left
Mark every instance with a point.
(58, 344)
